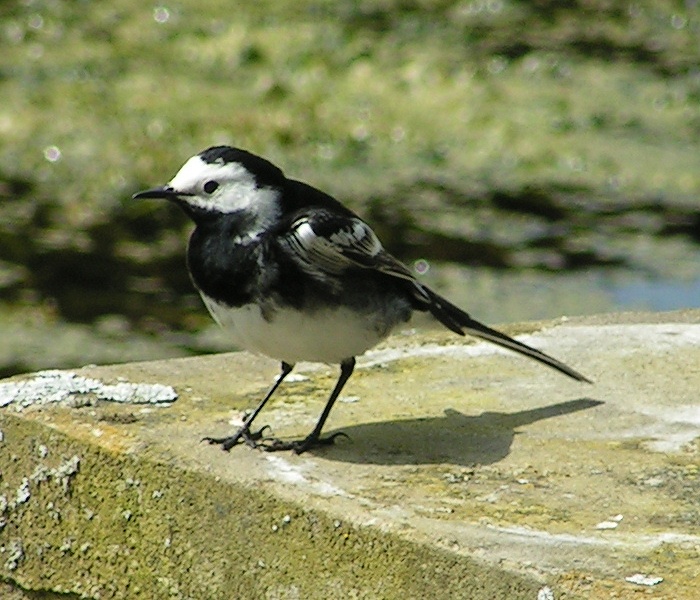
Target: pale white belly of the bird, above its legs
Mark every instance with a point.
(327, 335)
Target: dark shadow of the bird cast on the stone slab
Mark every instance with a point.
(453, 438)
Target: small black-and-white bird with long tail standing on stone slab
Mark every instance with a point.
(291, 273)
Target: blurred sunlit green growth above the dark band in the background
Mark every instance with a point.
(355, 94)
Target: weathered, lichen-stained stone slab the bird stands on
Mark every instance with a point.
(469, 473)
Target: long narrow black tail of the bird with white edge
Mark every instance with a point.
(460, 322)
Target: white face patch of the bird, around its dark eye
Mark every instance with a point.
(237, 191)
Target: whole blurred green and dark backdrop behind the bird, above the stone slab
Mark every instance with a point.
(546, 135)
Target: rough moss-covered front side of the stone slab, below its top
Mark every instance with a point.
(114, 526)
